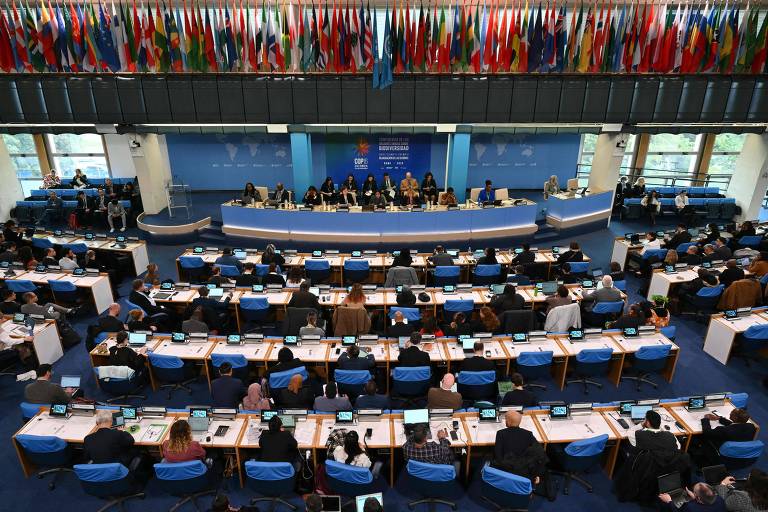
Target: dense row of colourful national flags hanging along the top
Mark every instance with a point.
(331, 37)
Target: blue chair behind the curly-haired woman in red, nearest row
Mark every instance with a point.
(187, 480)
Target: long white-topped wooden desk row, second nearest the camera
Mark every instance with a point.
(442, 352)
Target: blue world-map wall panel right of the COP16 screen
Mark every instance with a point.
(522, 161)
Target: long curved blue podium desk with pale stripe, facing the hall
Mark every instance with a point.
(384, 226)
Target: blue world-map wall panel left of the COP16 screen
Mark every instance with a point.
(227, 162)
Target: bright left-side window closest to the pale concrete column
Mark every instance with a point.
(69, 151)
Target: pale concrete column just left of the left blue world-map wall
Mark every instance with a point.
(152, 168)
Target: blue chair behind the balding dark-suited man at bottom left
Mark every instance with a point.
(111, 482)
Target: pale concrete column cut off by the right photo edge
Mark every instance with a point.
(750, 177)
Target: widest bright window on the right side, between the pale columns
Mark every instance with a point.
(672, 158)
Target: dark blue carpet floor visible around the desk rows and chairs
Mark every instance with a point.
(696, 373)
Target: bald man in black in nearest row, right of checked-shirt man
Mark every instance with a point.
(516, 450)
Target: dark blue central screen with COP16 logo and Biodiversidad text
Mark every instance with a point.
(338, 155)
